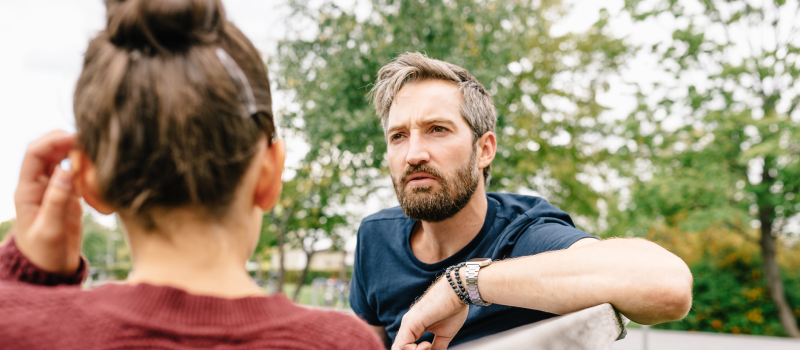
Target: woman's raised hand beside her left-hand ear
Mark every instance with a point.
(48, 226)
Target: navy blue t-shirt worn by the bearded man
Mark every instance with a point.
(388, 277)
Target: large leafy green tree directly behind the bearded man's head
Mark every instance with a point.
(544, 87)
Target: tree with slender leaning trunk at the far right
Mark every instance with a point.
(734, 159)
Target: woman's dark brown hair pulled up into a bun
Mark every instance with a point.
(160, 115)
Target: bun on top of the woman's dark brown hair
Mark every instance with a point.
(163, 25)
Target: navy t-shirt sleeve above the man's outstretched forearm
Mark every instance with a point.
(547, 234)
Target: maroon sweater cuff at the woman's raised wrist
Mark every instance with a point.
(15, 266)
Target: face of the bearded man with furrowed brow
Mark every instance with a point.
(432, 154)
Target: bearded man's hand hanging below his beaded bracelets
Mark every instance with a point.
(439, 311)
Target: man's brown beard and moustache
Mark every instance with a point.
(426, 203)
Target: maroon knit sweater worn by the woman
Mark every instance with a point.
(41, 310)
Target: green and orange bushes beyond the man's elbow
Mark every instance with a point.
(730, 294)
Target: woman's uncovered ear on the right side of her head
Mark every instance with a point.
(270, 181)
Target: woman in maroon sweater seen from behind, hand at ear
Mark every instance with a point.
(176, 135)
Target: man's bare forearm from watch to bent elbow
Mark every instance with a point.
(645, 282)
